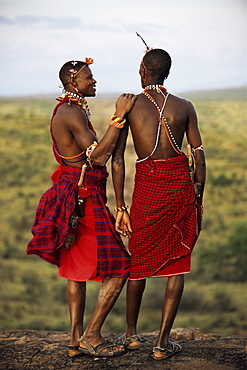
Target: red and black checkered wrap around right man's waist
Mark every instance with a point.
(164, 217)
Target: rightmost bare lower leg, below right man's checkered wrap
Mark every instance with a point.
(173, 294)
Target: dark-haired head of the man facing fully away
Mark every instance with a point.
(155, 67)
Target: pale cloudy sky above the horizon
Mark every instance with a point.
(205, 38)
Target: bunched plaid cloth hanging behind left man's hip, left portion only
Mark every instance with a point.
(53, 213)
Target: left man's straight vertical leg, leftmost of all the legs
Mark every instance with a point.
(76, 292)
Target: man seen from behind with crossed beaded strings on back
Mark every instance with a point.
(166, 209)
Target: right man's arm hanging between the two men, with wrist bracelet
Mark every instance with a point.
(118, 178)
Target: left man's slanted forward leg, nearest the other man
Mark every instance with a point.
(108, 294)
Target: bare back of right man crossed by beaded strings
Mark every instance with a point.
(144, 120)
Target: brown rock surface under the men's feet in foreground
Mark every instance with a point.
(45, 350)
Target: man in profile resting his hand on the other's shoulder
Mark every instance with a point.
(74, 228)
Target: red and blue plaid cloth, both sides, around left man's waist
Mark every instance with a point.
(53, 214)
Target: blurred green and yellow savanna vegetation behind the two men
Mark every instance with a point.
(34, 297)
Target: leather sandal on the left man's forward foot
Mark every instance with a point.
(98, 351)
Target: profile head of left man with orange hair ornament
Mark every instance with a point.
(77, 77)
